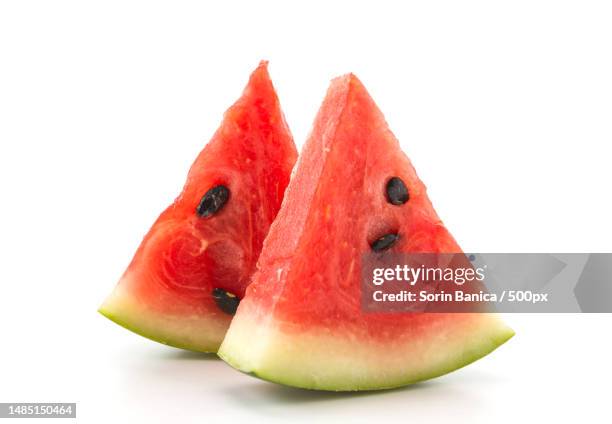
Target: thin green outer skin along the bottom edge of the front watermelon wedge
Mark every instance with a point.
(488, 344)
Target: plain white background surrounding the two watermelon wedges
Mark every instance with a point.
(504, 108)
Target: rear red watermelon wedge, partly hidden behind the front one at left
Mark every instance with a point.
(192, 268)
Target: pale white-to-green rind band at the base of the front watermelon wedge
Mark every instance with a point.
(334, 361)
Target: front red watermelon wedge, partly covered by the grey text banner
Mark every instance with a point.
(301, 322)
